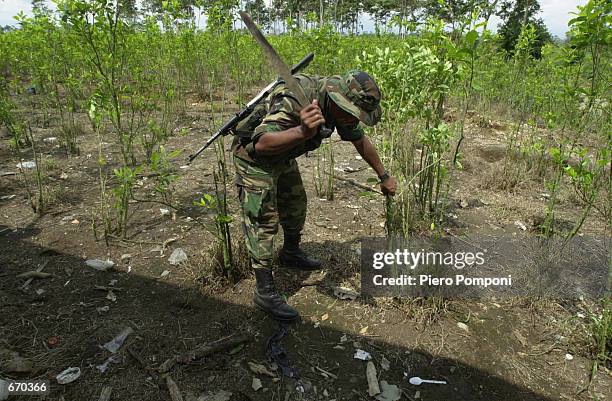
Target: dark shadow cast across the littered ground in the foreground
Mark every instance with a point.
(64, 325)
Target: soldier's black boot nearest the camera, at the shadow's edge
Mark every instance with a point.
(268, 300)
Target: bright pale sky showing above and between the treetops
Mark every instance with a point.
(555, 13)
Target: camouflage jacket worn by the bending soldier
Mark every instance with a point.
(280, 112)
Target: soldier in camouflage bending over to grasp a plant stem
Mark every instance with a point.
(269, 183)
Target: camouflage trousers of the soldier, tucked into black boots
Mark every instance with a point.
(269, 195)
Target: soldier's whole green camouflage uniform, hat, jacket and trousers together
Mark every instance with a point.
(270, 187)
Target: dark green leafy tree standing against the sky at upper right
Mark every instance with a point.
(516, 15)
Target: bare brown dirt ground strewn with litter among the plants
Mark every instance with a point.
(506, 350)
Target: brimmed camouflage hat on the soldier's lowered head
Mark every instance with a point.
(357, 94)
